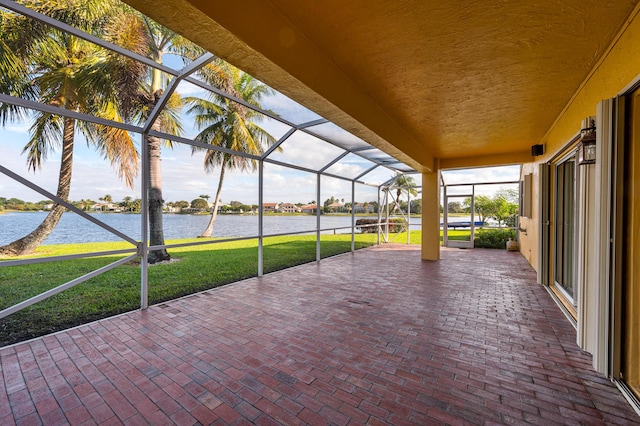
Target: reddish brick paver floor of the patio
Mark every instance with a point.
(378, 337)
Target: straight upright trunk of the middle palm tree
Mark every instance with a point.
(156, 230)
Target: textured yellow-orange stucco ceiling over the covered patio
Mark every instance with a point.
(419, 79)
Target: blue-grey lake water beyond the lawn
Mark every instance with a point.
(76, 229)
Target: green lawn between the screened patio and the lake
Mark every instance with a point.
(196, 268)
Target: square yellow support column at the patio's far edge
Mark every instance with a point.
(431, 215)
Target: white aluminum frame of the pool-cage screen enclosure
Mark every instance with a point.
(141, 248)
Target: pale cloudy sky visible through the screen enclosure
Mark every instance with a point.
(184, 177)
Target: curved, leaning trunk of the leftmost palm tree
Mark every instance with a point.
(30, 242)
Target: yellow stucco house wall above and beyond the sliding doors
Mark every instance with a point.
(617, 68)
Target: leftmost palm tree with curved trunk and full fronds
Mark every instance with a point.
(44, 64)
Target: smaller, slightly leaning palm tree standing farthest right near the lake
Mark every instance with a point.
(228, 124)
